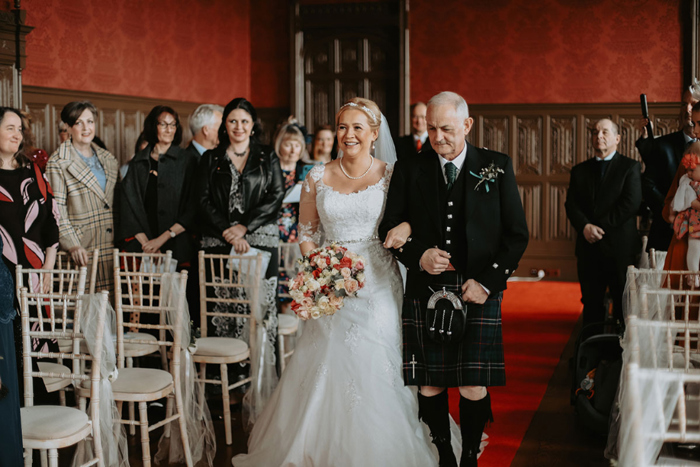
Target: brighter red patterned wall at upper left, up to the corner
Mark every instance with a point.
(170, 49)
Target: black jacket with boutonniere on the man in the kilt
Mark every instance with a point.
(496, 228)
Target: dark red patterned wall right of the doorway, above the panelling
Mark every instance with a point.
(547, 51)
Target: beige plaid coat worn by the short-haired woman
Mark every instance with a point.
(87, 217)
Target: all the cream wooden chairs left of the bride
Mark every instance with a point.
(139, 288)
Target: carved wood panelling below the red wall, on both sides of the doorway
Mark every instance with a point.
(544, 140)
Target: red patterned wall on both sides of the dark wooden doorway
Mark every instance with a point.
(490, 51)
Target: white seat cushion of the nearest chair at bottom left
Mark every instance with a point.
(45, 422)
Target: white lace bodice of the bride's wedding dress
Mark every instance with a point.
(346, 218)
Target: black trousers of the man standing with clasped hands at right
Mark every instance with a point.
(597, 272)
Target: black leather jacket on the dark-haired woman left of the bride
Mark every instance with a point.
(263, 189)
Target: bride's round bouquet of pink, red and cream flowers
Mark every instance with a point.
(326, 276)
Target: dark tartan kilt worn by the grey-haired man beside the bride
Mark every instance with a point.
(475, 361)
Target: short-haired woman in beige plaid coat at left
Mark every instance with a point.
(83, 177)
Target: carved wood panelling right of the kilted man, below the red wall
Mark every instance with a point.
(545, 142)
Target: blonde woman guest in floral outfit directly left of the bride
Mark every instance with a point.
(290, 146)
